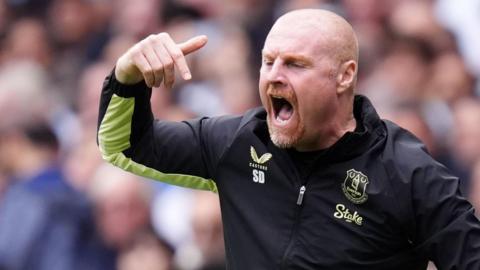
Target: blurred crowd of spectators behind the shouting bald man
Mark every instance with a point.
(62, 207)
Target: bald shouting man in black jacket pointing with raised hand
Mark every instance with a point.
(314, 179)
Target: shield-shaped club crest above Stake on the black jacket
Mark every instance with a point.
(355, 185)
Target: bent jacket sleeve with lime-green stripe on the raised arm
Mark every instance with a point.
(179, 153)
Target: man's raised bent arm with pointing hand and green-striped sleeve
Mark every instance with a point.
(178, 153)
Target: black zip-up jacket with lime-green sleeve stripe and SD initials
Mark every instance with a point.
(374, 200)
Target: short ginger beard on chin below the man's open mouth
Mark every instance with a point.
(285, 138)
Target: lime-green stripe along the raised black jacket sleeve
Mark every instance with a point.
(114, 137)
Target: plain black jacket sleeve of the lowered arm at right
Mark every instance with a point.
(446, 229)
